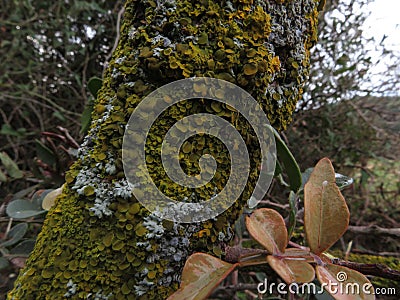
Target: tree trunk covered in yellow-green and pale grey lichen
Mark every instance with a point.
(98, 242)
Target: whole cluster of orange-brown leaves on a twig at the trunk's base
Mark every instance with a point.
(326, 218)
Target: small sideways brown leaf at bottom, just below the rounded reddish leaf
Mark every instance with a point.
(291, 270)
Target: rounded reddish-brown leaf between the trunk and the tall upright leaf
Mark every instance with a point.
(268, 228)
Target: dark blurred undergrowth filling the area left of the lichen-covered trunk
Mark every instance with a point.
(49, 51)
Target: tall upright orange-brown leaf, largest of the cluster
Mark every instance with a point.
(326, 215)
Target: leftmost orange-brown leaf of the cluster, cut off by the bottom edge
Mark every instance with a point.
(201, 274)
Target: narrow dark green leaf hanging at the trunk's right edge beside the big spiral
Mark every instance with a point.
(289, 162)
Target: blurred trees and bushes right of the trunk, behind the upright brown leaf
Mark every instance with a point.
(351, 114)
